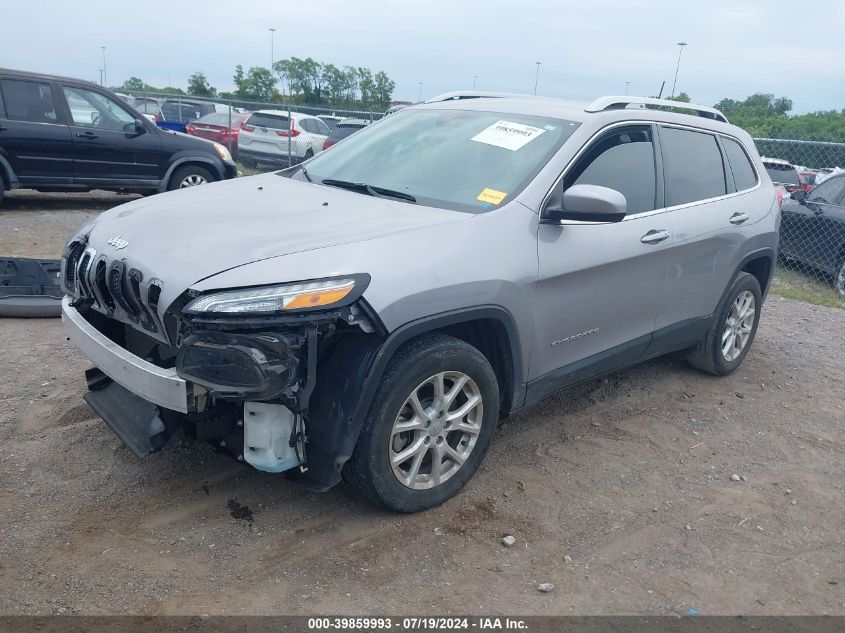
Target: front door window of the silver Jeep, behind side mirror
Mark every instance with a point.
(622, 160)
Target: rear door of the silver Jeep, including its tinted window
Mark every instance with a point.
(712, 221)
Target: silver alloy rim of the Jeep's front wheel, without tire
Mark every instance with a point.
(435, 430)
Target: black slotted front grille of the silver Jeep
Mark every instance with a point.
(112, 287)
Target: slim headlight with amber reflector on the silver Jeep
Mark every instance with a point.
(286, 297)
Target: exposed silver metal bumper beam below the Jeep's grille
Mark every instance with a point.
(160, 386)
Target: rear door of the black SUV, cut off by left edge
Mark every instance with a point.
(34, 138)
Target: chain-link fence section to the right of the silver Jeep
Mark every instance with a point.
(810, 178)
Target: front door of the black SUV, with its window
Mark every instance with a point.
(109, 152)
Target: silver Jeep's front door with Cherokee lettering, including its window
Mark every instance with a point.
(600, 285)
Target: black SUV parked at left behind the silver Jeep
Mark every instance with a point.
(60, 134)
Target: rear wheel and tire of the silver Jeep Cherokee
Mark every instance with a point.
(708, 355)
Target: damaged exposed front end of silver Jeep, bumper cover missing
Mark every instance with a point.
(249, 379)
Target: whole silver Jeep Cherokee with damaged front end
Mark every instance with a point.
(372, 313)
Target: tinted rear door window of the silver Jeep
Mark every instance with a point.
(692, 166)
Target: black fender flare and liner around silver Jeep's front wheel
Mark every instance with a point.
(347, 384)
